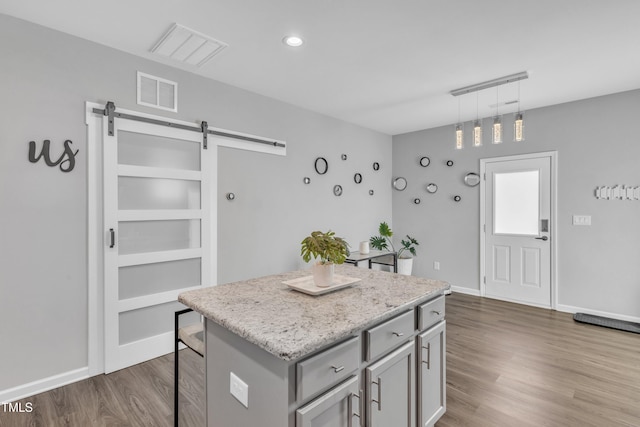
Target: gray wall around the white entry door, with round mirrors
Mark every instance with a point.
(597, 144)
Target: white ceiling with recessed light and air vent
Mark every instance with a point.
(383, 64)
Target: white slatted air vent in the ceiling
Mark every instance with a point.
(189, 46)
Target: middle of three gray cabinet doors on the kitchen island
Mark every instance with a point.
(391, 389)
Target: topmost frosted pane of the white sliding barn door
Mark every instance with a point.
(137, 149)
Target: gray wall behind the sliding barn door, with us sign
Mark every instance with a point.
(46, 77)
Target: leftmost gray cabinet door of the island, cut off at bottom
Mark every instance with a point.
(339, 407)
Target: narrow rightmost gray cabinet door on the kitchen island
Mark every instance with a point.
(432, 370)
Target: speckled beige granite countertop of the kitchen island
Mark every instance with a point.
(290, 324)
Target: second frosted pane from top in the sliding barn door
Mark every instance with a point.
(157, 193)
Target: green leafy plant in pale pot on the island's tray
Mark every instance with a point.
(329, 250)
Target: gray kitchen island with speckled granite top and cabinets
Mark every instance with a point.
(371, 354)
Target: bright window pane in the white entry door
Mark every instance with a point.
(516, 203)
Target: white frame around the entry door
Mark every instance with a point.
(553, 228)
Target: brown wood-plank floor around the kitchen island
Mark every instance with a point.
(507, 365)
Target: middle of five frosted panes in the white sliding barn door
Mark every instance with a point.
(154, 236)
